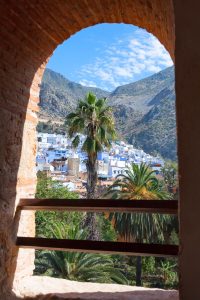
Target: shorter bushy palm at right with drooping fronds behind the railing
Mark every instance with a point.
(138, 183)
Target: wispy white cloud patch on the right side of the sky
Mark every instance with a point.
(125, 61)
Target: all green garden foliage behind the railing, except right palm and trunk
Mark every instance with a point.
(155, 272)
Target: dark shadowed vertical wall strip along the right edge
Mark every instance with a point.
(187, 55)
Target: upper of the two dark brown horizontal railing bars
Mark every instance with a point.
(101, 205)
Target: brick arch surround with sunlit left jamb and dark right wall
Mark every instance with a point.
(30, 31)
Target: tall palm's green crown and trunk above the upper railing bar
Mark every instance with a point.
(94, 119)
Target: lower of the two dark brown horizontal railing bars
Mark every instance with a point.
(124, 248)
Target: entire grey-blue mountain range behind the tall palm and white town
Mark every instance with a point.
(144, 110)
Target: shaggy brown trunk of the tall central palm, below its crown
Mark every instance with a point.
(91, 218)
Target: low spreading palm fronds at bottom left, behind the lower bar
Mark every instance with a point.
(76, 266)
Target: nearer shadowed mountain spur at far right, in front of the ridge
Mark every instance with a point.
(156, 131)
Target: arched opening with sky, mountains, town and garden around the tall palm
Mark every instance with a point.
(130, 68)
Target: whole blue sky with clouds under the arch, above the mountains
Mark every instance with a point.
(109, 55)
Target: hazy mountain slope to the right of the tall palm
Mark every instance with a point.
(145, 113)
